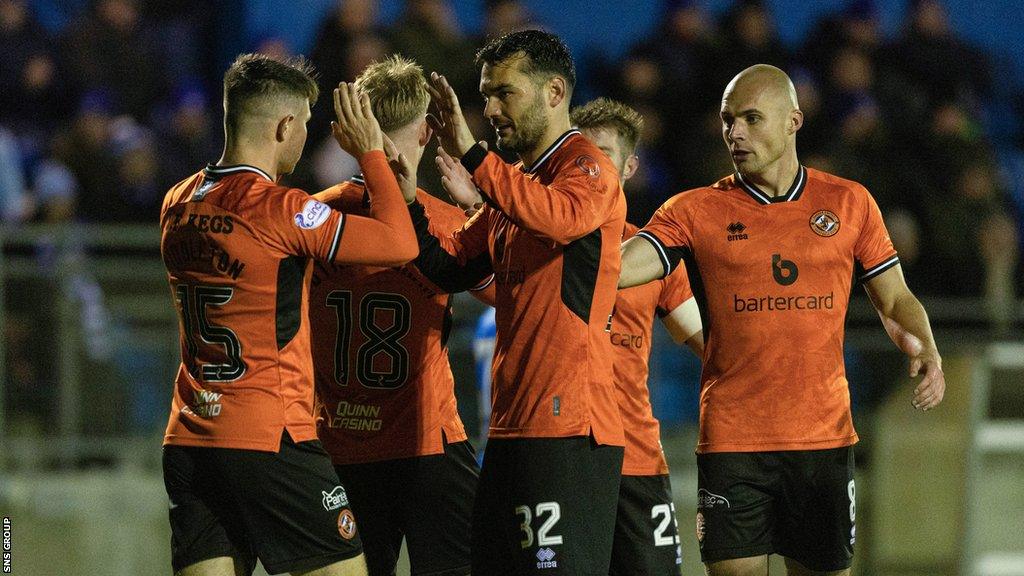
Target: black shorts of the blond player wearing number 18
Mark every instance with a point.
(429, 501)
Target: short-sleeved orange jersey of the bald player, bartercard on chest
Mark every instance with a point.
(773, 278)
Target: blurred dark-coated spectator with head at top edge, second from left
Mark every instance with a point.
(109, 49)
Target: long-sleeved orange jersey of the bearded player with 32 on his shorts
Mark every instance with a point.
(551, 235)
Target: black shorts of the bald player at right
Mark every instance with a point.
(800, 505)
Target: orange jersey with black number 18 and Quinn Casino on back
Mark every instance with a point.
(380, 355)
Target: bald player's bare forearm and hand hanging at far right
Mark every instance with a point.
(907, 322)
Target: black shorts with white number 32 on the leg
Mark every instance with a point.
(546, 507)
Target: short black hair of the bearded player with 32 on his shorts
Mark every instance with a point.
(547, 55)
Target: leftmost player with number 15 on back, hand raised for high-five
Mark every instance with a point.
(246, 477)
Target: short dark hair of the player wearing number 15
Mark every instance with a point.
(254, 80)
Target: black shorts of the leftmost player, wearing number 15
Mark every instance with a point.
(288, 509)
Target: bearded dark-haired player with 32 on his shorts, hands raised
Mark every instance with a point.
(546, 502)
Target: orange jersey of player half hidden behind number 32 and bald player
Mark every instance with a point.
(632, 325)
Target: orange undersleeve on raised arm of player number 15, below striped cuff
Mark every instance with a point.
(386, 238)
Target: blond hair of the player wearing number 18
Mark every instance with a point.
(398, 92)
